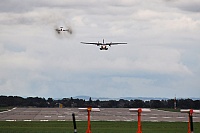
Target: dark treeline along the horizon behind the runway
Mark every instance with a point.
(16, 101)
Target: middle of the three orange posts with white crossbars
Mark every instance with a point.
(139, 110)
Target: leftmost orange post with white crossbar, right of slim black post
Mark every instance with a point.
(89, 109)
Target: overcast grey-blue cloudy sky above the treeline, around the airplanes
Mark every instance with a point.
(161, 59)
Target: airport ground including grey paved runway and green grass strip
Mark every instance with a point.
(109, 120)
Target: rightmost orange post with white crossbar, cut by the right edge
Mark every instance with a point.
(190, 118)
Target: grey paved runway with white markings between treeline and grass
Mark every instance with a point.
(106, 114)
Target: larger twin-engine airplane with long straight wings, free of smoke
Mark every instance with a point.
(103, 45)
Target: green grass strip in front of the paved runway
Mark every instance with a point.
(96, 127)
